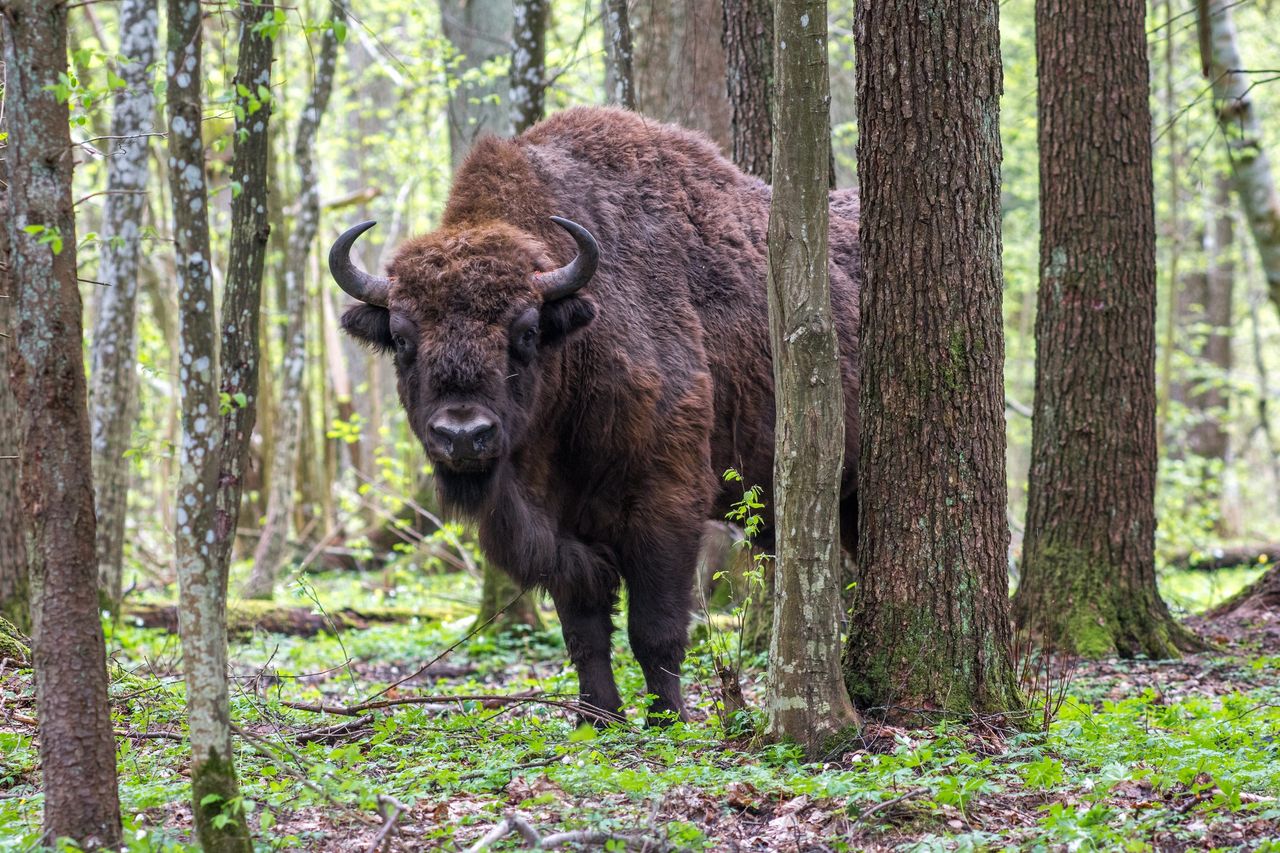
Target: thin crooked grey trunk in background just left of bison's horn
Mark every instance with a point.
(289, 426)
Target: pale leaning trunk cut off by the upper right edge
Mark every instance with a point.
(1238, 121)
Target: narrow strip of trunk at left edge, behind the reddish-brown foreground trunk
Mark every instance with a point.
(15, 596)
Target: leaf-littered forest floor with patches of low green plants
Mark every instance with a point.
(1142, 755)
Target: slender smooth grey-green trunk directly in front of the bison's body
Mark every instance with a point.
(807, 701)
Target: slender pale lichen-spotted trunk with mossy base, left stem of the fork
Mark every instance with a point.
(202, 577)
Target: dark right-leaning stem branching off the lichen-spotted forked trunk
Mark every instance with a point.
(243, 295)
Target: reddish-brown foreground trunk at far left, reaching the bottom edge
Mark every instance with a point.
(77, 749)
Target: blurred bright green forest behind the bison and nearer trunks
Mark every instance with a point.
(336, 480)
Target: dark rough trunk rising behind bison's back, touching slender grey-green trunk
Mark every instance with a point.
(749, 79)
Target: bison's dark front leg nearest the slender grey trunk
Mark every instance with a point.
(660, 573)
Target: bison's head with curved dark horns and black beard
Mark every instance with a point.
(468, 314)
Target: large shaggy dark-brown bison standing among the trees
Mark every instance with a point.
(583, 349)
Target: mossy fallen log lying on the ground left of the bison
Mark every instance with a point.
(246, 617)
